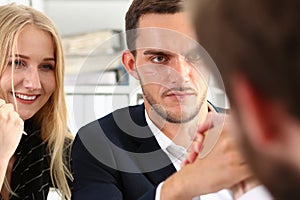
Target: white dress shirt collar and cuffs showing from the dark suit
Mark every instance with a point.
(177, 153)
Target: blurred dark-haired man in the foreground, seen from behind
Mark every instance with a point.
(257, 54)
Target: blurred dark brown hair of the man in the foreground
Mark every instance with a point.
(260, 39)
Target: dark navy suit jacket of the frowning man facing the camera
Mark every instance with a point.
(117, 157)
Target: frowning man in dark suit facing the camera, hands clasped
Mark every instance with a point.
(134, 152)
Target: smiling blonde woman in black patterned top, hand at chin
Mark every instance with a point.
(34, 138)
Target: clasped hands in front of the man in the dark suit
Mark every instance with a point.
(223, 167)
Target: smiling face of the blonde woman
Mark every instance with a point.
(33, 72)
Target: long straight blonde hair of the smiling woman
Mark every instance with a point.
(52, 117)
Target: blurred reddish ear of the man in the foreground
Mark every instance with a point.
(257, 114)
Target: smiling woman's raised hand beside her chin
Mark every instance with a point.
(11, 127)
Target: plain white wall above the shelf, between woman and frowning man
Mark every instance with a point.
(78, 16)
